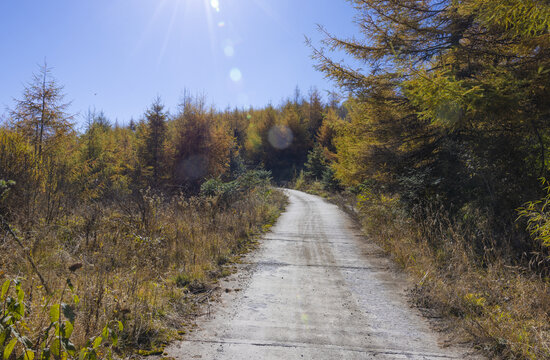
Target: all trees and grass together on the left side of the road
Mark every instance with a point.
(128, 222)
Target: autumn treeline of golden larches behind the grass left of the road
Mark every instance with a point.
(55, 167)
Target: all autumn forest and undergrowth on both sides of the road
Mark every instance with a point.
(437, 143)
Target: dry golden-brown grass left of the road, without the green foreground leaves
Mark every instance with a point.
(138, 264)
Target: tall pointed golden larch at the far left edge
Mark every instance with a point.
(39, 119)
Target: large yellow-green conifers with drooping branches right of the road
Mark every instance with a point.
(447, 101)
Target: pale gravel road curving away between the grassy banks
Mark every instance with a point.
(315, 289)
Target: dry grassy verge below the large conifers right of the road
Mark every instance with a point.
(503, 309)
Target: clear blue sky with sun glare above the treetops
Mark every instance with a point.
(118, 55)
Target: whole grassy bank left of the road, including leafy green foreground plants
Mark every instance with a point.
(146, 267)
